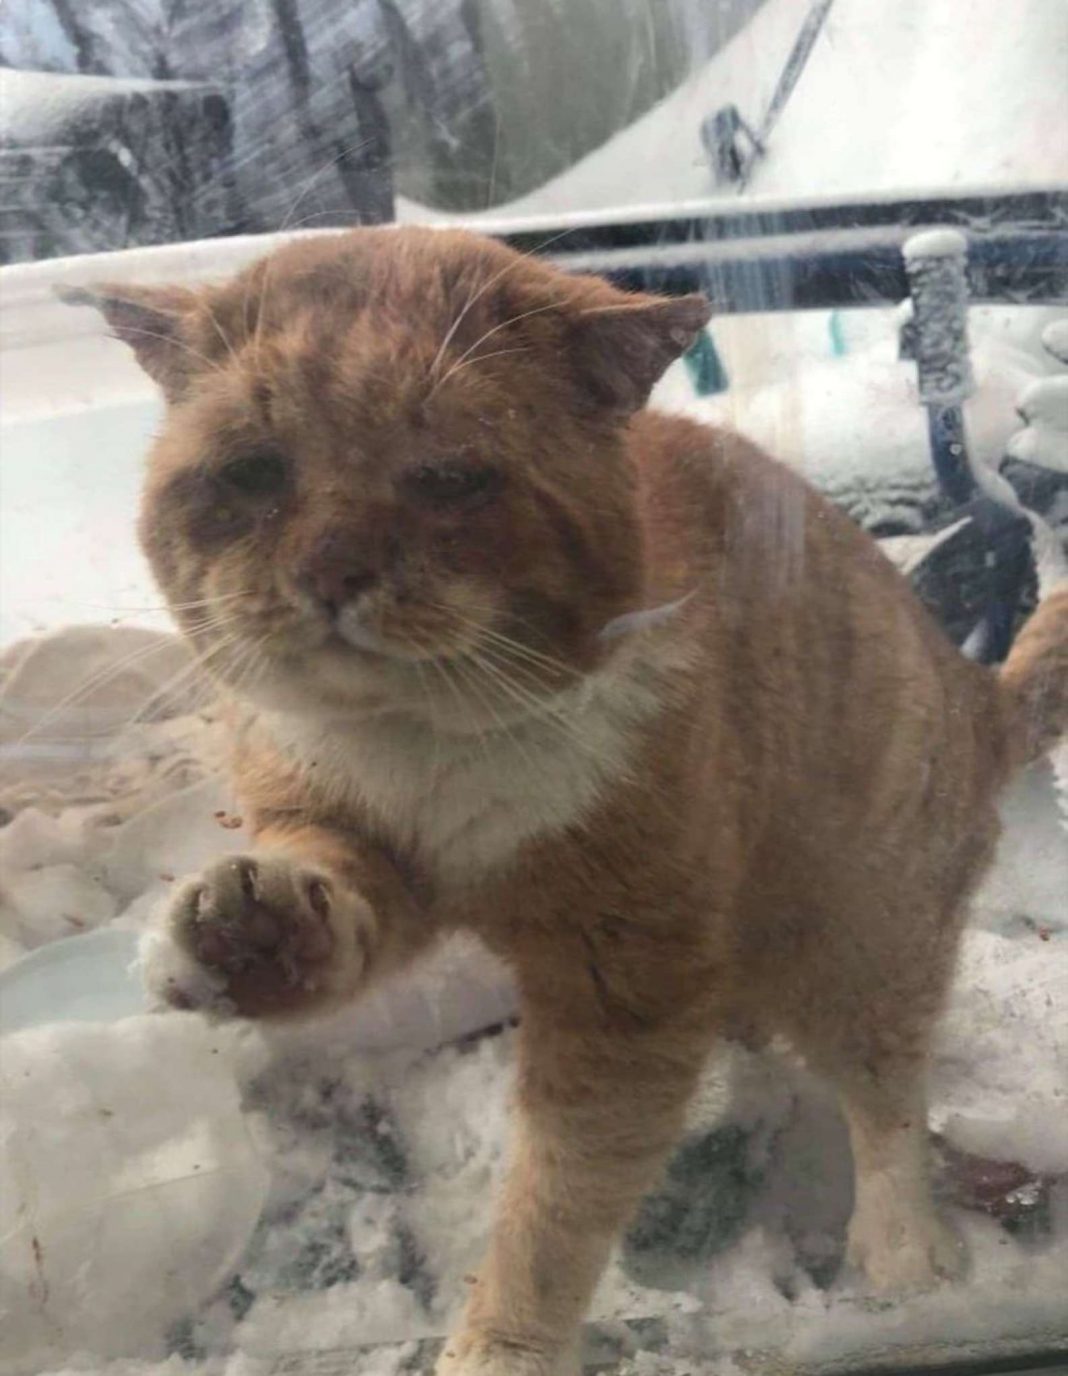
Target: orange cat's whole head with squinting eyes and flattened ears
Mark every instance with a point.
(393, 471)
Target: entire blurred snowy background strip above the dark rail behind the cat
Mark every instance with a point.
(166, 120)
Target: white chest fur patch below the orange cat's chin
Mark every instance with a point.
(467, 803)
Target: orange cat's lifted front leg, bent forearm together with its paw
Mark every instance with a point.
(299, 924)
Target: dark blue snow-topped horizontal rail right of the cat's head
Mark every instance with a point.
(818, 257)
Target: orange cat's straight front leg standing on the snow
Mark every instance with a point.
(599, 1110)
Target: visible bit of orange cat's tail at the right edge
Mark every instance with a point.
(1036, 680)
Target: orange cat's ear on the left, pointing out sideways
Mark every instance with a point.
(151, 320)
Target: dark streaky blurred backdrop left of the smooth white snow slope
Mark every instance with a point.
(164, 119)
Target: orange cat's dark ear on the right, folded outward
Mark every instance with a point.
(623, 350)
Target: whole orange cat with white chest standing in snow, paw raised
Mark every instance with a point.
(407, 504)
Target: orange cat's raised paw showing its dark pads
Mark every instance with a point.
(266, 936)
